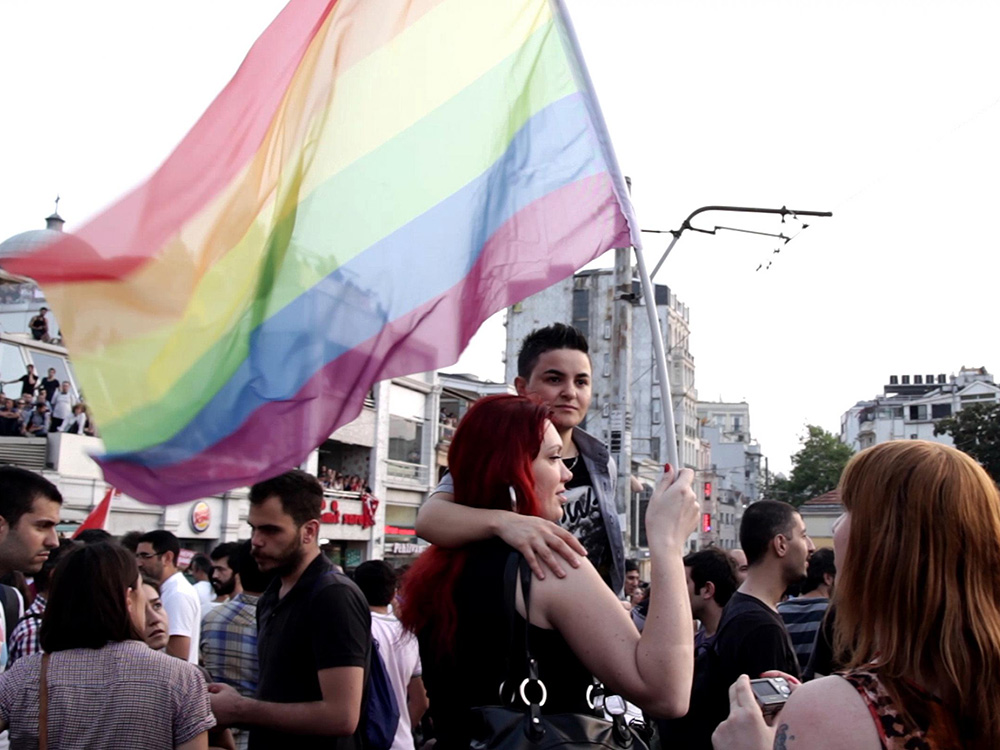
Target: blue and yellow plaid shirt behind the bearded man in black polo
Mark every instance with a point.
(229, 643)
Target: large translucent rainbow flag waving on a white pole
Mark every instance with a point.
(375, 181)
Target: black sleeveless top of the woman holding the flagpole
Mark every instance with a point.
(471, 675)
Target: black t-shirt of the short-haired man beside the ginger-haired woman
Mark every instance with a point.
(751, 639)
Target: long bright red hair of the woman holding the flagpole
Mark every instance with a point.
(491, 452)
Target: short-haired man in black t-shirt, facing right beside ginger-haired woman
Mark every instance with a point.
(751, 638)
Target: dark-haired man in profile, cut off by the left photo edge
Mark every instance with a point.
(29, 511)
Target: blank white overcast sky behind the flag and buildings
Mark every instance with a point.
(886, 113)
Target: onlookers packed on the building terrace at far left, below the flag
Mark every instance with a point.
(45, 405)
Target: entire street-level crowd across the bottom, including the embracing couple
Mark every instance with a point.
(524, 602)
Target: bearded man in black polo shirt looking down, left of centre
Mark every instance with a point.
(314, 630)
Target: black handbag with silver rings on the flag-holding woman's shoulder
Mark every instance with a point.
(511, 726)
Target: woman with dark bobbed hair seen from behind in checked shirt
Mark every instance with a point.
(106, 688)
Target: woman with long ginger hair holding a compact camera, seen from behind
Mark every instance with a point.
(918, 614)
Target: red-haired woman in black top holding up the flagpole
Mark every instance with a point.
(505, 454)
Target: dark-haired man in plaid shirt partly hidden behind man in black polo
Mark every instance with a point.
(229, 631)
